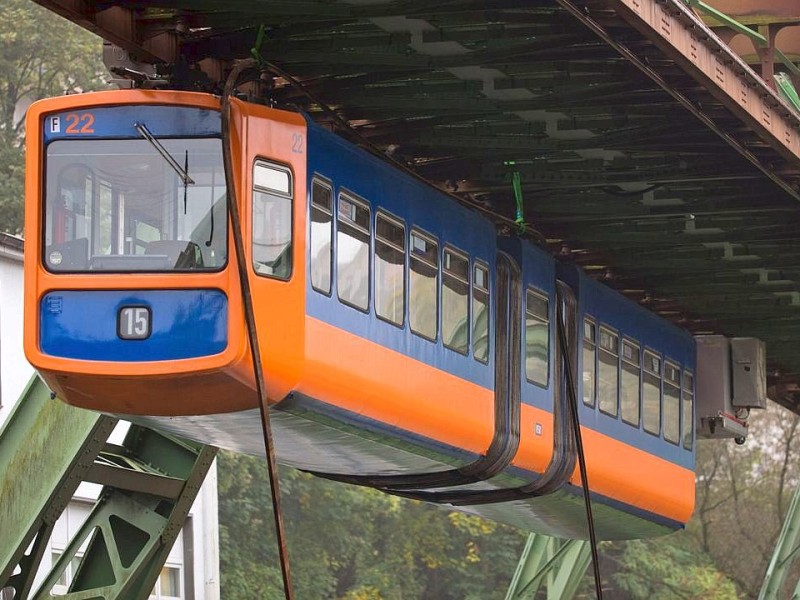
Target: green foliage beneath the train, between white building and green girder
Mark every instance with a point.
(350, 543)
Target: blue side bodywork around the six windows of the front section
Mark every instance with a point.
(416, 204)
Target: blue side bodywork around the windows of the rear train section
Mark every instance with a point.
(608, 307)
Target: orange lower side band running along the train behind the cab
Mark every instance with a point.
(372, 381)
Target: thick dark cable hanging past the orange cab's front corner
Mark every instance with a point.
(247, 301)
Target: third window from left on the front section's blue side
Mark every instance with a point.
(390, 261)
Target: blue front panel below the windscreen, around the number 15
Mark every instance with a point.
(83, 324)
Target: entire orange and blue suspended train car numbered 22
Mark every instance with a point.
(406, 346)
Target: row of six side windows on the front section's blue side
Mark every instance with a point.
(354, 232)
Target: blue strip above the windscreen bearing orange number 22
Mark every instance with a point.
(118, 122)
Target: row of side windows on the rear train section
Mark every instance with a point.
(638, 387)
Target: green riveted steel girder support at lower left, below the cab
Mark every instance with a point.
(150, 482)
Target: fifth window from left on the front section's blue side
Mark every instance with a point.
(455, 301)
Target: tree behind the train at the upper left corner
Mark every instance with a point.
(41, 55)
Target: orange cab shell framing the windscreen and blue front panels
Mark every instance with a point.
(127, 392)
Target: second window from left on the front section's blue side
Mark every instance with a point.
(352, 252)
